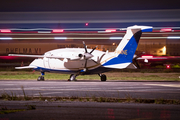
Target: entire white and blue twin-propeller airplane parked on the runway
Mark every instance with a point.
(83, 61)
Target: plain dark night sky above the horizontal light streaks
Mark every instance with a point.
(86, 5)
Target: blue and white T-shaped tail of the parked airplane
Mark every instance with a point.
(123, 55)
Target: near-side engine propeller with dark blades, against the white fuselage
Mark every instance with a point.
(87, 55)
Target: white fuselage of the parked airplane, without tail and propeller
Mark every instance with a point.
(73, 64)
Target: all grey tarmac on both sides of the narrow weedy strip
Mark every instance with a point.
(76, 110)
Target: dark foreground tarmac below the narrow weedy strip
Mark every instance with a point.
(88, 111)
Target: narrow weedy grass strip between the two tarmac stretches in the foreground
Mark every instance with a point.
(95, 99)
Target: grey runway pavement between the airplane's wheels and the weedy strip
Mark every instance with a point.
(85, 88)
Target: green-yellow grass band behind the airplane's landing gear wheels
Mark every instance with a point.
(23, 75)
